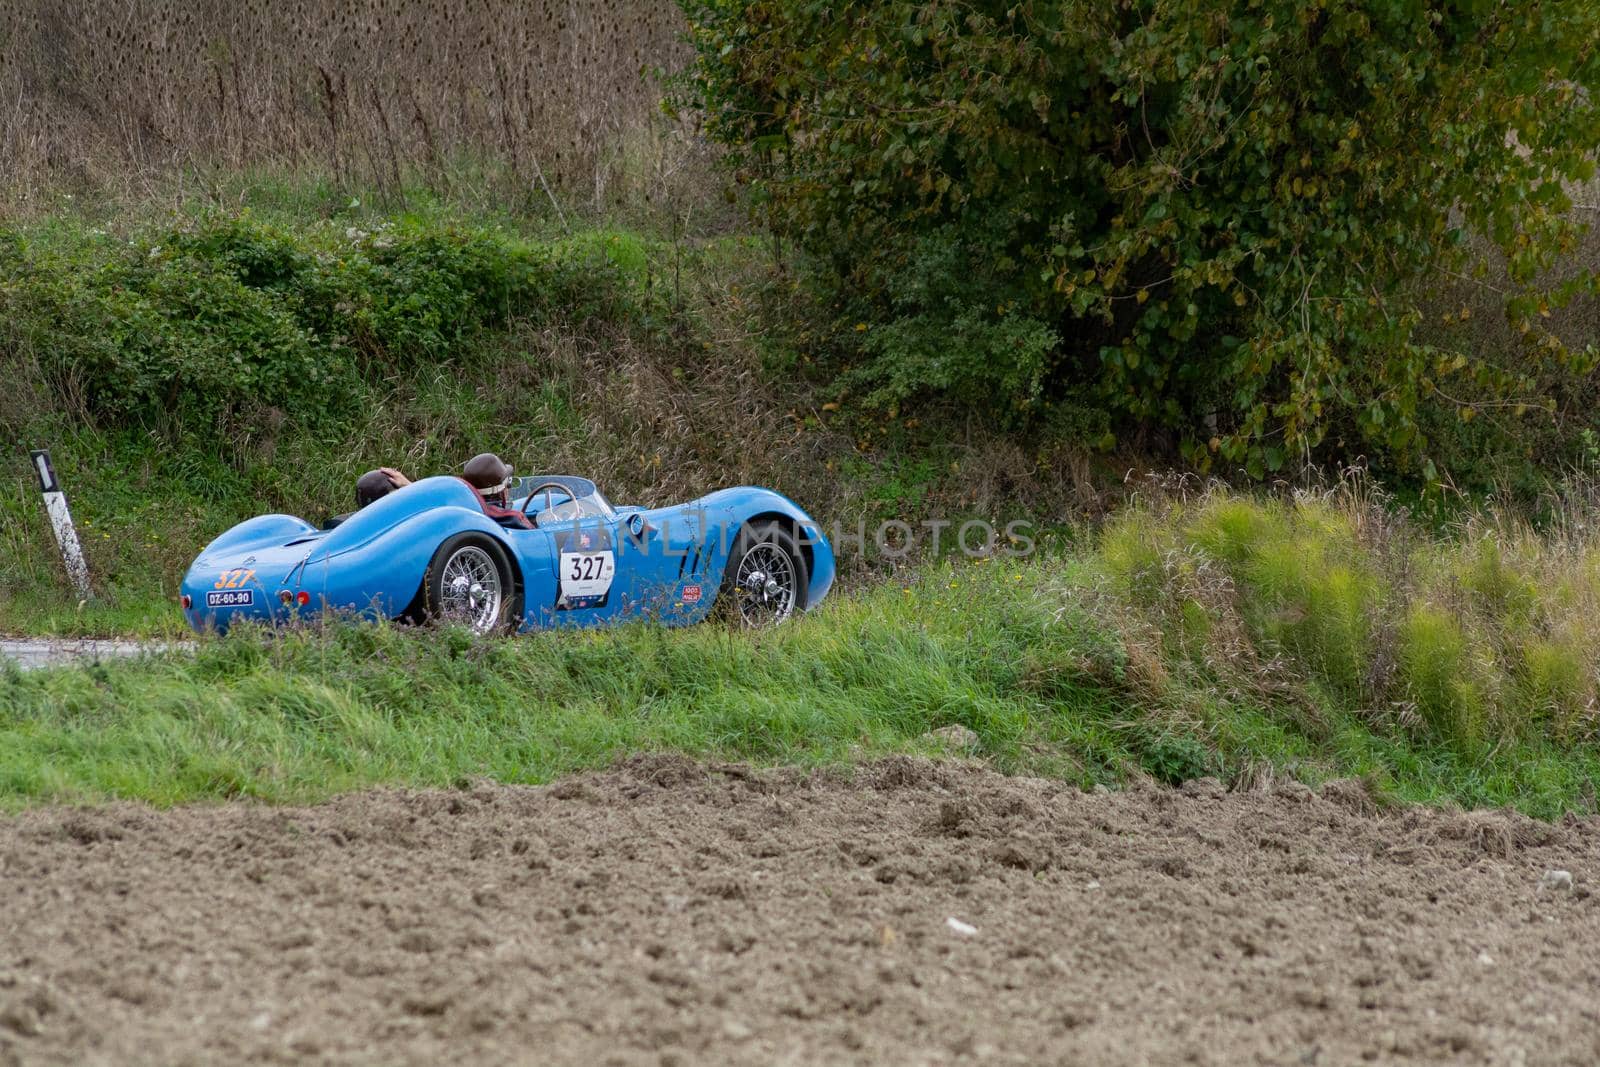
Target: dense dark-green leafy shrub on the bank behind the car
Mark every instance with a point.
(239, 324)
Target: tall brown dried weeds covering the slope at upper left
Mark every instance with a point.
(559, 95)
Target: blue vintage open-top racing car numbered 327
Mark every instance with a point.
(566, 559)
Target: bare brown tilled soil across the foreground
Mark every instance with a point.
(671, 913)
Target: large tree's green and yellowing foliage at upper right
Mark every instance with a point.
(1218, 217)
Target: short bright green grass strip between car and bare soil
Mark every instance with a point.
(1026, 655)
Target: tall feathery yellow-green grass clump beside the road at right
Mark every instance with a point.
(1332, 599)
